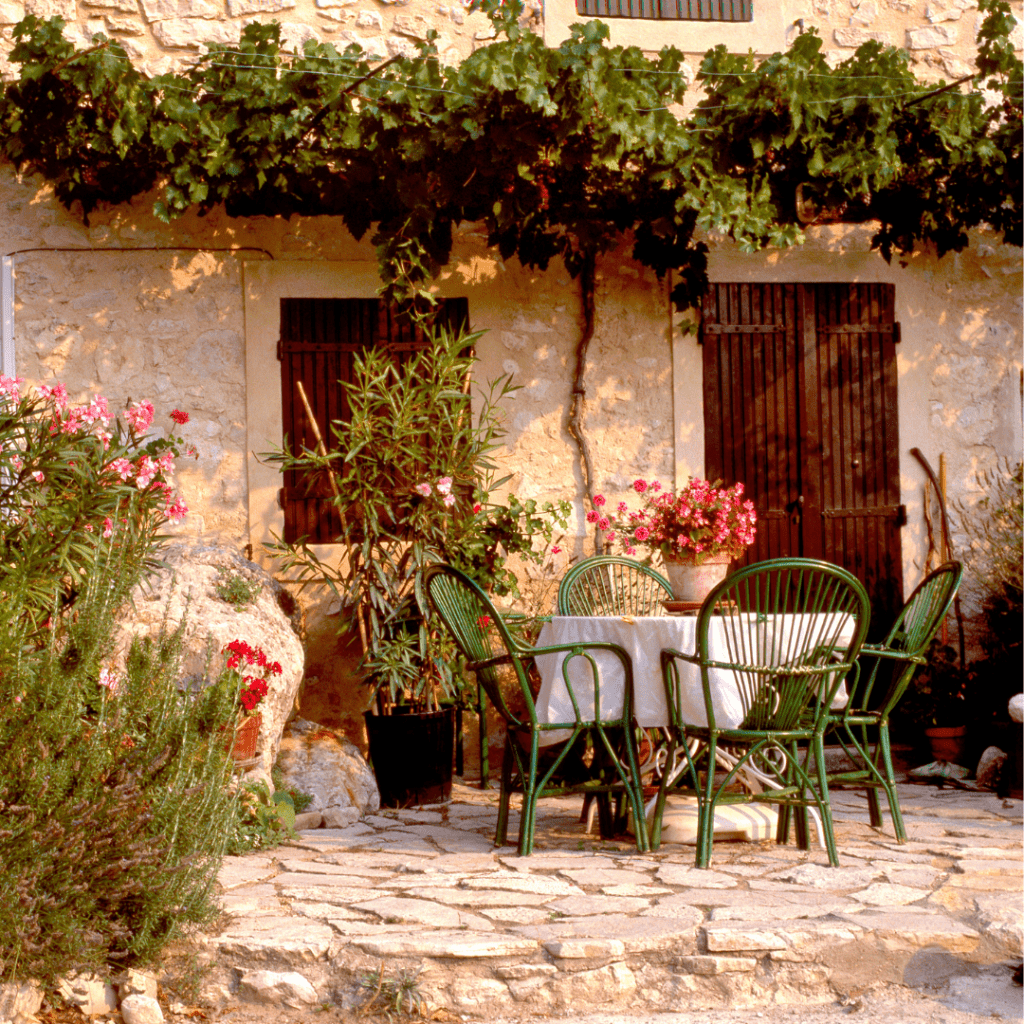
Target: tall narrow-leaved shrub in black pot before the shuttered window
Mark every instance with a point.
(411, 474)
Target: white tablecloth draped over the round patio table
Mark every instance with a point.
(644, 638)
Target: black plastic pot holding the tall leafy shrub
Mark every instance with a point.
(412, 756)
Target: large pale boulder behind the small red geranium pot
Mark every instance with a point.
(187, 586)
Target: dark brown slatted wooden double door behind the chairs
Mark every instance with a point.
(800, 405)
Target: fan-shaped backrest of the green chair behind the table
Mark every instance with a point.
(612, 585)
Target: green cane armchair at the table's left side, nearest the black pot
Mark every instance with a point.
(486, 643)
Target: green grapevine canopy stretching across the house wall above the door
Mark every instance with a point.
(557, 152)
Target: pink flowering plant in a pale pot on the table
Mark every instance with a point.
(698, 531)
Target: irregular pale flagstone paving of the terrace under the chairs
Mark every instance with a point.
(589, 924)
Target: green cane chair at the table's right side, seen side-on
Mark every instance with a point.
(905, 649)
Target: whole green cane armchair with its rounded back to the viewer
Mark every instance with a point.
(787, 633)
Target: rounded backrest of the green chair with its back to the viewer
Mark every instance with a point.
(790, 631)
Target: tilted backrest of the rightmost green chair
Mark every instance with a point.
(911, 635)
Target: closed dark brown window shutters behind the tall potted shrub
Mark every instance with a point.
(319, 342)
